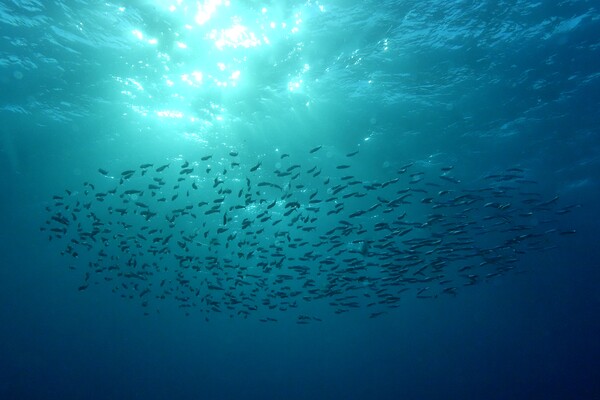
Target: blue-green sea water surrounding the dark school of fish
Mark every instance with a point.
(481, 86)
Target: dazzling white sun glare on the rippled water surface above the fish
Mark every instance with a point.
(207, 45)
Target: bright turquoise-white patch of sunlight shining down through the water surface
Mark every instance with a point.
(207, 56)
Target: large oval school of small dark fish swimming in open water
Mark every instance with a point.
(219, 235)
